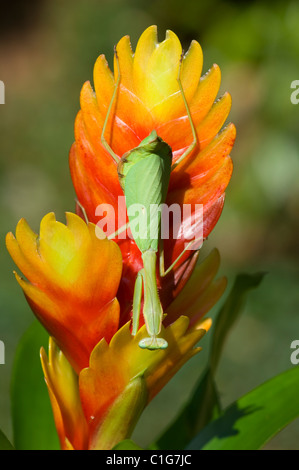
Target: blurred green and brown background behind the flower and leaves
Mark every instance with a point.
(47, 51)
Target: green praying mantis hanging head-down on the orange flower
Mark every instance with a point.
(144, 174)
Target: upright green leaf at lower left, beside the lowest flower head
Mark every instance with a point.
(33, 423)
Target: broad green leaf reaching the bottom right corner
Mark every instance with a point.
(255, 418)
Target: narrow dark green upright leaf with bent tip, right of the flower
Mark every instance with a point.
(204, 406)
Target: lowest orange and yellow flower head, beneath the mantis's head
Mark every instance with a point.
(101, 407)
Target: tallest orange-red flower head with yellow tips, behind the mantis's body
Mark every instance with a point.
(149, 98)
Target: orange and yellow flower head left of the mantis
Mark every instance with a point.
(73, 279)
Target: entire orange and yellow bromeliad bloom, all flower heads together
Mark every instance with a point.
(80, 287)
